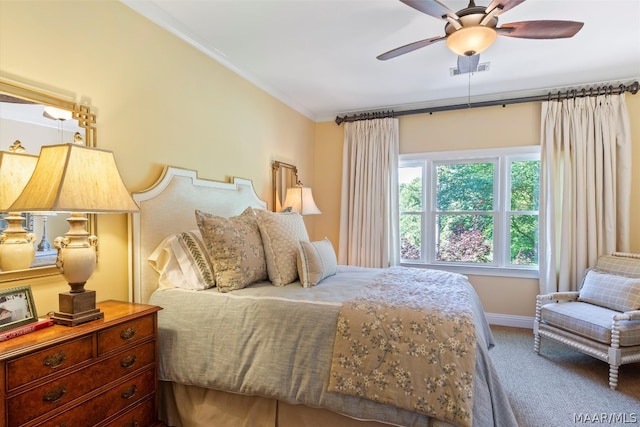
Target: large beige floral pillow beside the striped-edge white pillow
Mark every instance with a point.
(235, 248)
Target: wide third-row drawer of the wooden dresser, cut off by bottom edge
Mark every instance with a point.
(124, 396)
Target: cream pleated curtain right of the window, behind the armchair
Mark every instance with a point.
(585, 186)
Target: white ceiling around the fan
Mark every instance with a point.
(319, 56)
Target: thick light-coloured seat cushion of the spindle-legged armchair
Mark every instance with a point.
(590, 321)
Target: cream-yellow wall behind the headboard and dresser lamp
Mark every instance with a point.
(158, 101)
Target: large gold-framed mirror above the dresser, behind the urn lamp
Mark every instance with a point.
(31, 118)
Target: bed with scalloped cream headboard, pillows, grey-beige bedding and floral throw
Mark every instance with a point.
(276, 353)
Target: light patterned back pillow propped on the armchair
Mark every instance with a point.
(618, 293)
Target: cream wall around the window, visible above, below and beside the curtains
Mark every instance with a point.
(488, 127)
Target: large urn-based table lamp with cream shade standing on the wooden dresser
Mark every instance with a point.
(77, 179)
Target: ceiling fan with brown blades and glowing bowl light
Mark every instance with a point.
(473, 29)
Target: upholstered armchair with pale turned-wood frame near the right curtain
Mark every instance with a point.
(602, 319)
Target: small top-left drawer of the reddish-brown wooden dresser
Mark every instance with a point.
(52, 360)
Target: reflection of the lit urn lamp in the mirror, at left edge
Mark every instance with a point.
(16, 245)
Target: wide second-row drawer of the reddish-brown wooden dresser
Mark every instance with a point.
(63, 390)
